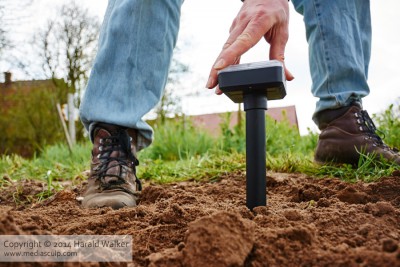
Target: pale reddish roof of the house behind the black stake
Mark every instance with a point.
(212, 122)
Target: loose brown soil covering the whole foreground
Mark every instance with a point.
(307, 222)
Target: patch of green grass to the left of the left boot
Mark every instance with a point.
(56, 166)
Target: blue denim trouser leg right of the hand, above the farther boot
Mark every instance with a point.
(339, 38)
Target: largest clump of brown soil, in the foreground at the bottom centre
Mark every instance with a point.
(208, 236)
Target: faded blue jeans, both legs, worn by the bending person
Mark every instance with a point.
(138, 37)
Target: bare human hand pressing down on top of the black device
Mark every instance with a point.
(256, 19)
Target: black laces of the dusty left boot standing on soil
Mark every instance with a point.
(125, 159)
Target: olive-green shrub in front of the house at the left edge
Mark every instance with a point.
(29, 121)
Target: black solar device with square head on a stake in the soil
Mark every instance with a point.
(254, 84)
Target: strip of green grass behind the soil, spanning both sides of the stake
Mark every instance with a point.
(181, 152)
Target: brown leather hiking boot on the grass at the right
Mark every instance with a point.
(346, 136)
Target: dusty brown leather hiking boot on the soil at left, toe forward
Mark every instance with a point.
(112, 181)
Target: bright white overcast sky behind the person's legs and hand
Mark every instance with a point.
(204, 30)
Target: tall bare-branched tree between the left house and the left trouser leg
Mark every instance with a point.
(67, 48)
